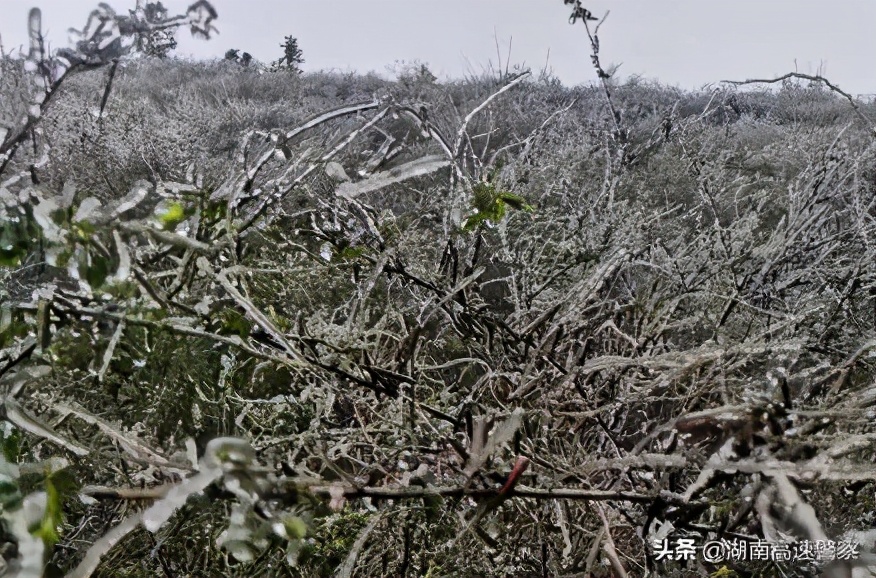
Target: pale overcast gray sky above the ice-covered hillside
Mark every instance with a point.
(681, 42)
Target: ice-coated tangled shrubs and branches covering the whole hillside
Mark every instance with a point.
(257, 323)
